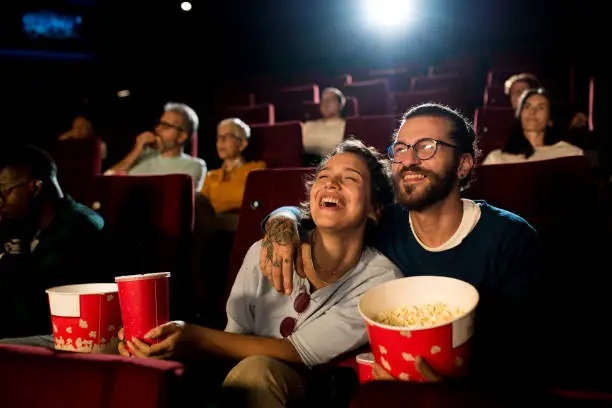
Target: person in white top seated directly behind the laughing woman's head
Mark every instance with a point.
(321, 136)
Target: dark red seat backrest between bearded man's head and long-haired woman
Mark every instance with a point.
(493, 126)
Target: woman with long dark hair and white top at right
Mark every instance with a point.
(533, 137)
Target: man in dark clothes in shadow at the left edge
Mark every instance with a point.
(47, 240)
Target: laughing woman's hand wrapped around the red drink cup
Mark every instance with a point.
(173, 336)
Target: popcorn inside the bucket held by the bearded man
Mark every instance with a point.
(419, 316)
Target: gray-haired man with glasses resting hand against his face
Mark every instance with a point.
(161, 151)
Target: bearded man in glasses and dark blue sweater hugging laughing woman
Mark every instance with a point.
(432, 231)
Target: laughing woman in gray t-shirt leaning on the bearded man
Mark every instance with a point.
(275, 336)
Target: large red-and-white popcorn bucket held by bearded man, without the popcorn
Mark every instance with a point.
(445, 347)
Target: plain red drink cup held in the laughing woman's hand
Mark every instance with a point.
(144, 303)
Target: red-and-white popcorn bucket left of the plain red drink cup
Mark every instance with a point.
(86, 318)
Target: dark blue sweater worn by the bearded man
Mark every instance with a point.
(498, 256)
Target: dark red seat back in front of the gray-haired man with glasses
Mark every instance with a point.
(150, 220)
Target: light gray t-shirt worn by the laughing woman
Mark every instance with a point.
(330, 326)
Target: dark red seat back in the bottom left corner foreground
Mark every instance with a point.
(33, 377)
